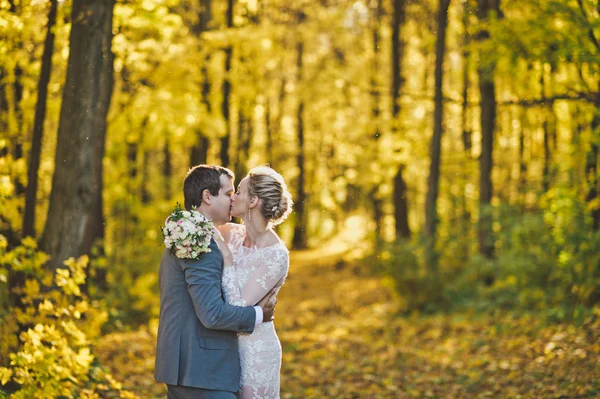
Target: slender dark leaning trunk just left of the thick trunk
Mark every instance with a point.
(38, 125)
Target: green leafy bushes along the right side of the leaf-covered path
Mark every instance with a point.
(546, 260)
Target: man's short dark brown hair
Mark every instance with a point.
(200, 178)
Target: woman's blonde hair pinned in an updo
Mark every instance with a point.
(269, 186)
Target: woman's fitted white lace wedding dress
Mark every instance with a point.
(248, 275)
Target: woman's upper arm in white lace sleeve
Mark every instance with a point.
(271, 273)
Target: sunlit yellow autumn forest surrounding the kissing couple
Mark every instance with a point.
(443, 157)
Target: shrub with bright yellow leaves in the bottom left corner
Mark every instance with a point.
(54, 356)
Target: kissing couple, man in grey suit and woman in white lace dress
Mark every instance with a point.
(216, 338)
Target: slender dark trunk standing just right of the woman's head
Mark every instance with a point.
(300, 239)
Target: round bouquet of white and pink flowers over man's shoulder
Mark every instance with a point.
(187, 234)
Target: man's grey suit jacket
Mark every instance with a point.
(197, 342)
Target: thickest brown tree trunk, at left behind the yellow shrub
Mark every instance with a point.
(74, 186)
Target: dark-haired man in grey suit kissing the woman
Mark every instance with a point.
(197, 349)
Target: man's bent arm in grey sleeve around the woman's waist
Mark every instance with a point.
(203, 277)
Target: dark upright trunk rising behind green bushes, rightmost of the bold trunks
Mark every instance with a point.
(487, 90)
